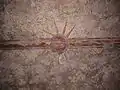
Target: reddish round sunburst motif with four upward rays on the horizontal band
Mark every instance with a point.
(59, 41)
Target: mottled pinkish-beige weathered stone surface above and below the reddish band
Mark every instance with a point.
(75, 69)
